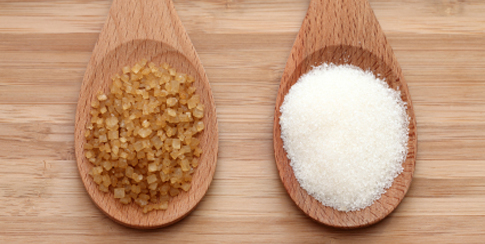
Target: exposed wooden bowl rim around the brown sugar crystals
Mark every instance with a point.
(203, 174)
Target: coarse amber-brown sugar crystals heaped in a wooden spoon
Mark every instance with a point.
(142, 136)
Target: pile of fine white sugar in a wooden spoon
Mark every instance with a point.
(345, 132)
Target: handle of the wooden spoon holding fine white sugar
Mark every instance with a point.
(330, 23)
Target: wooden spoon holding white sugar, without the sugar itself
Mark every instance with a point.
(343, 32)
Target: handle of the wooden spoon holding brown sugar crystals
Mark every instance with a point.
(130, 20)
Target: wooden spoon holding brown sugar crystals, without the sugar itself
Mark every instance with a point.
(134, 30)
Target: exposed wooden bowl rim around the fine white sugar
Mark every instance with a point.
(307, 203)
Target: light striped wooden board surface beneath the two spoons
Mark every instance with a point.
(45, 47)
